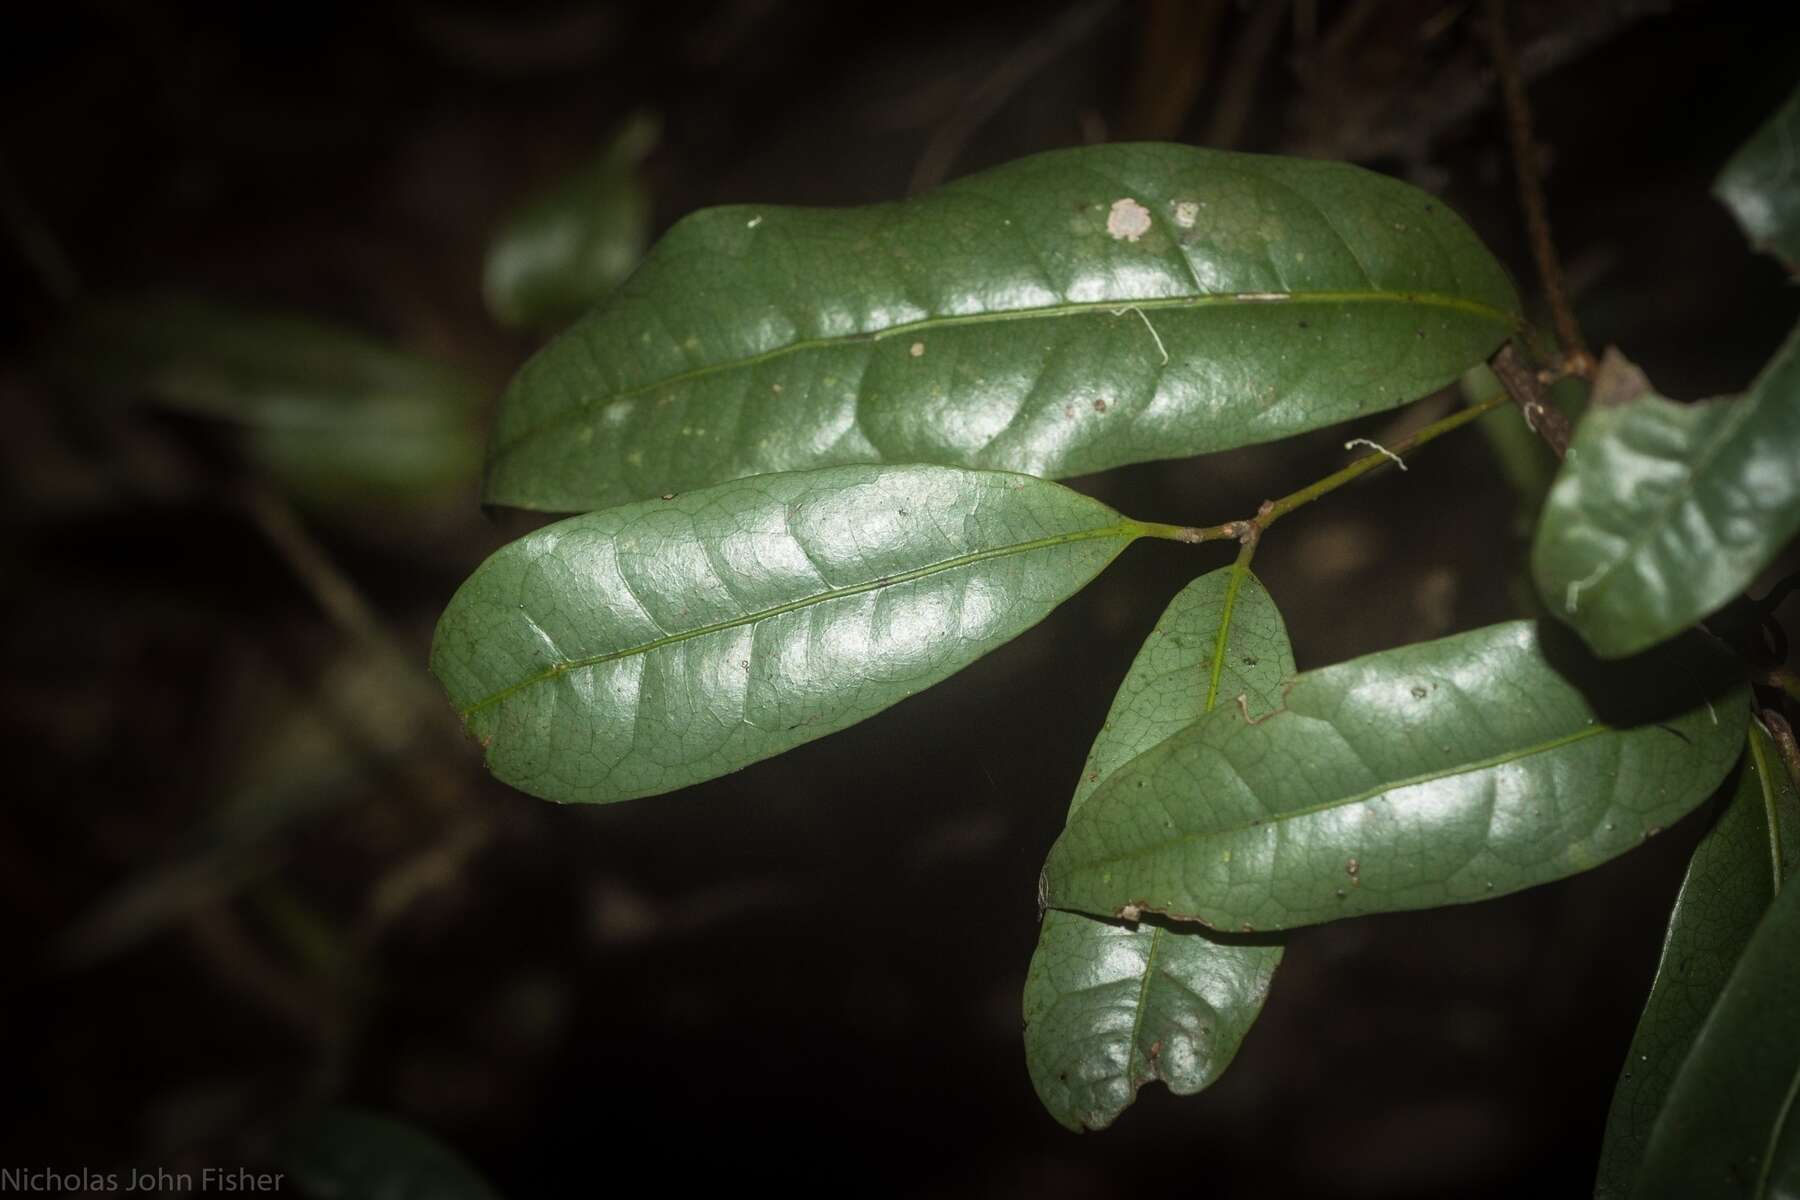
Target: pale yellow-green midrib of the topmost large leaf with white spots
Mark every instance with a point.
(1050, 312)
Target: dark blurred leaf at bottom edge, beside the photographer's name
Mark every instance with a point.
(359, 1156)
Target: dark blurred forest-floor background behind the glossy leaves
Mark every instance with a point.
(807, 971)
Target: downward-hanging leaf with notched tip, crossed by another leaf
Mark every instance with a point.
(1111, 1007)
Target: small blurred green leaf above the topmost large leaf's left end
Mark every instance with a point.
(570, 246)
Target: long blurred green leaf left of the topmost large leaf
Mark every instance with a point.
(330, 415)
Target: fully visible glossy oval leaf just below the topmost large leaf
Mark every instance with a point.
(656, 645)
